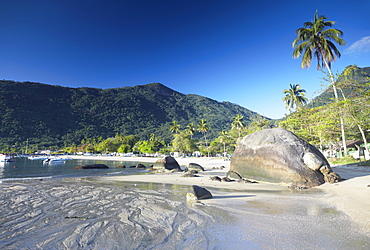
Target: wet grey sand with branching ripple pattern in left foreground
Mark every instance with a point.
(89, 215)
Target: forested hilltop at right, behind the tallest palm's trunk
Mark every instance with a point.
(348, 82)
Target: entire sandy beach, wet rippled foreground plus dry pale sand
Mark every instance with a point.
(150, 211)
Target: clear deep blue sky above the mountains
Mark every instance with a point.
(237, 51)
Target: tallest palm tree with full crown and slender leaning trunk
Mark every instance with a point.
(316, 39)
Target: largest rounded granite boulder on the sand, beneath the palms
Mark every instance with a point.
(279, 156)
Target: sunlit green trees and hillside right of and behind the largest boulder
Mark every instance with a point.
(318, 121)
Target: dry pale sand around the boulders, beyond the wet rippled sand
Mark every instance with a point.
(350, 196)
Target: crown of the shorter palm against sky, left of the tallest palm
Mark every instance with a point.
(294, 97)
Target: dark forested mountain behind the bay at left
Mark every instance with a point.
(53, 115)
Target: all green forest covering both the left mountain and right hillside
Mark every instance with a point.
(154, 118)
